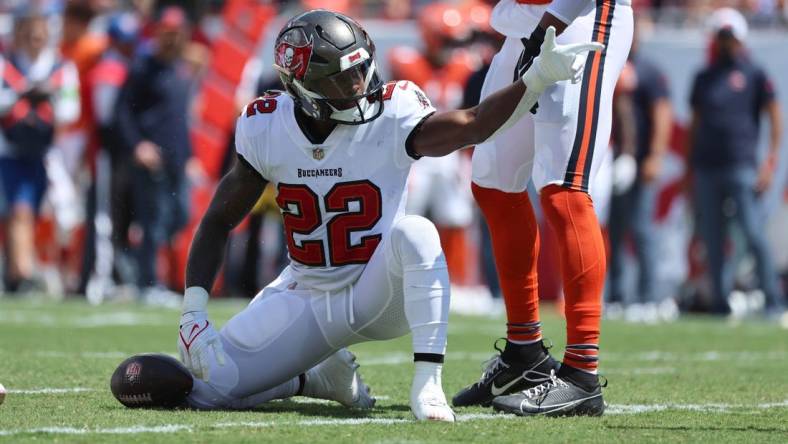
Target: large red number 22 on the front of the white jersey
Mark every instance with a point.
(301, 215)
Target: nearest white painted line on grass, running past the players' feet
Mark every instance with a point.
(615, 409)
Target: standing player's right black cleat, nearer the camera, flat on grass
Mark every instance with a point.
(555, 397)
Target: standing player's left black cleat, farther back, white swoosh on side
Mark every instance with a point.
(507, 372)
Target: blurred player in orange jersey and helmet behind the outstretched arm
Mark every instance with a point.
(439, 187)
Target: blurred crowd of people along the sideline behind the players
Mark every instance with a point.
(116, 120)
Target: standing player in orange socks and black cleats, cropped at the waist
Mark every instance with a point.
(561, 147)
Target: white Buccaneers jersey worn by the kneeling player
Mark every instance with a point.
(339, 198)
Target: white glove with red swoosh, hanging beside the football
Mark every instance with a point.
(197, 338)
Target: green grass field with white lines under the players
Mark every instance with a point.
(697, 380)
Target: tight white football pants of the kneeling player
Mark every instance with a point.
(287, 330)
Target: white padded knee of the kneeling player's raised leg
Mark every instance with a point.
(415, 244)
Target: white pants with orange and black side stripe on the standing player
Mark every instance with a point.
(565, 143)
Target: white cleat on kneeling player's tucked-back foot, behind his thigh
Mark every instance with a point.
(337, 379)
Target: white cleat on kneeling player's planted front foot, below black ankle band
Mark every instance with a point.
(427, 400)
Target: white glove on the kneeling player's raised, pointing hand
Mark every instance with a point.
(556, 63)
